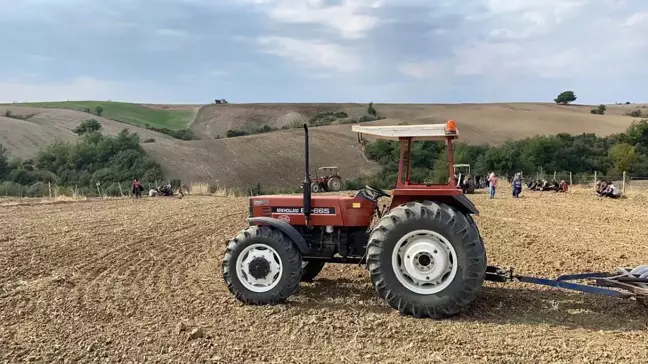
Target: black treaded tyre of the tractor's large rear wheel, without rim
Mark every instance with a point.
(462, 233)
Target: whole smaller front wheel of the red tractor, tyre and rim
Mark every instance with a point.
(262, 266)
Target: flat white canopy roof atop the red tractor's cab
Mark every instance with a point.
(416, 132)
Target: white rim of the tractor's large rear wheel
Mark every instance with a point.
(424, 262)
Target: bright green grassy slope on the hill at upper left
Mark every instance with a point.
(134, 114)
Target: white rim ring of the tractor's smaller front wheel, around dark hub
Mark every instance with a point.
(259, 251)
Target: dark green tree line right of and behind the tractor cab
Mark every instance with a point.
(579, 154)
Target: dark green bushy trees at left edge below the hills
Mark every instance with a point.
(93, 158)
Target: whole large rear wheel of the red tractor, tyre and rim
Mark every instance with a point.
(426, 259)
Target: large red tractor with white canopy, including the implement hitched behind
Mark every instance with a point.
(425, 255)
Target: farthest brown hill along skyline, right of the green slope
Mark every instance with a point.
(477, 123)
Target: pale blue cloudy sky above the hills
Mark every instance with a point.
(192, 51)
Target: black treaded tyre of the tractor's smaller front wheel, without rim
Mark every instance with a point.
(288, 254)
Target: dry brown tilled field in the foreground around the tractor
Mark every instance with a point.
(111, 281)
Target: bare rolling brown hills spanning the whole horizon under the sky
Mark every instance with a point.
(276, 158)
